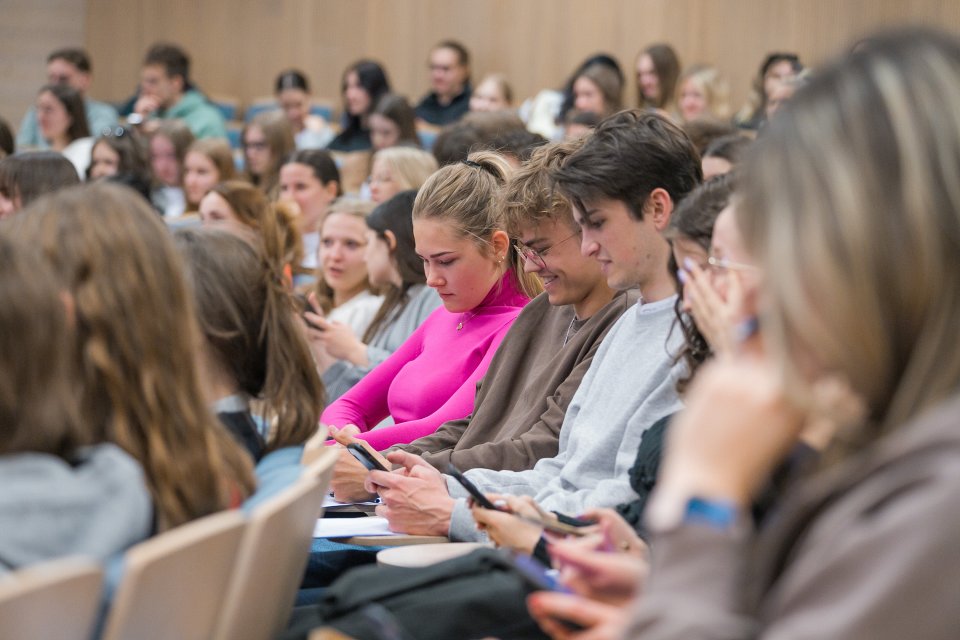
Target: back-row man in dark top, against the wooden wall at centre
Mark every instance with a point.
(449, 98)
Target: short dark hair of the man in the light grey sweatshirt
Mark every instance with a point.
(630, 154)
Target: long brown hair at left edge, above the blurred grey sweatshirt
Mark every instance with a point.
(38, 403)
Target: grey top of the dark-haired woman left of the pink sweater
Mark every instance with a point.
(341, 377)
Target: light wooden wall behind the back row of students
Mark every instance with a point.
(239, 46)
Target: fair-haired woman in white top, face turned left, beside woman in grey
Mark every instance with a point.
(343, 293)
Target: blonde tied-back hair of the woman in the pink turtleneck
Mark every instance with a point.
(467, 196)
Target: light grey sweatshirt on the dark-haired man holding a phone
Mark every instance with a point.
(631, 383)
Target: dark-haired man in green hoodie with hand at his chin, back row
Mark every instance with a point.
(166, 93)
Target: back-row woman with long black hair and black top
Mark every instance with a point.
(364, 83)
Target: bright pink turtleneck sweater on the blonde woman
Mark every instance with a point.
(432, 377)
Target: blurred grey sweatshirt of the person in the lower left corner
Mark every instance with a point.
(97, 507)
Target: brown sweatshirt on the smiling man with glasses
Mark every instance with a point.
(521, 401)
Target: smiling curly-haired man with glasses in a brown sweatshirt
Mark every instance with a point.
(520, 403)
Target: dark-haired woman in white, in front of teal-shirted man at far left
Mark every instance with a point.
(63, 124)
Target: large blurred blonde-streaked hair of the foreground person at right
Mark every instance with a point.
(850, 203)
